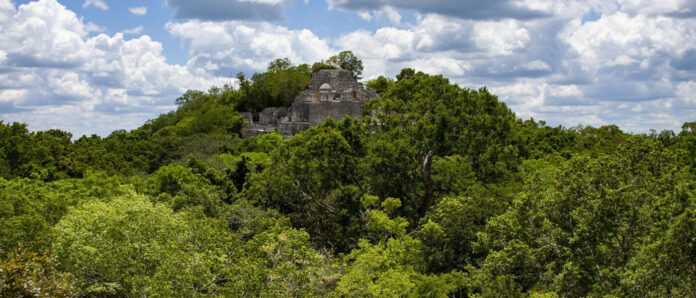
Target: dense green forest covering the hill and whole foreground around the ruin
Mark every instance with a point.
(437, 191)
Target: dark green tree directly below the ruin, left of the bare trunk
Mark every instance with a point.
(314, 179)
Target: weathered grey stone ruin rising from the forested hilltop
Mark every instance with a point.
(330, 93)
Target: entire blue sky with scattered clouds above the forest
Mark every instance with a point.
(95, 66)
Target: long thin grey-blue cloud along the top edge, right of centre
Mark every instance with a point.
(464, 9)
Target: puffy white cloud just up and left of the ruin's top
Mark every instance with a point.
(225, 48)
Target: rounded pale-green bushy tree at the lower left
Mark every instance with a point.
(132, 247)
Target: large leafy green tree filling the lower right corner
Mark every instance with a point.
(597, 229)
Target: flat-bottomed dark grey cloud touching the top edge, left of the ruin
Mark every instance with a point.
(219, 10)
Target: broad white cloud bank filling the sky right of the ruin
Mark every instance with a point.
(631, 69)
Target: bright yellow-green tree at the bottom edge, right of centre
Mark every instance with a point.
(394, 265)
